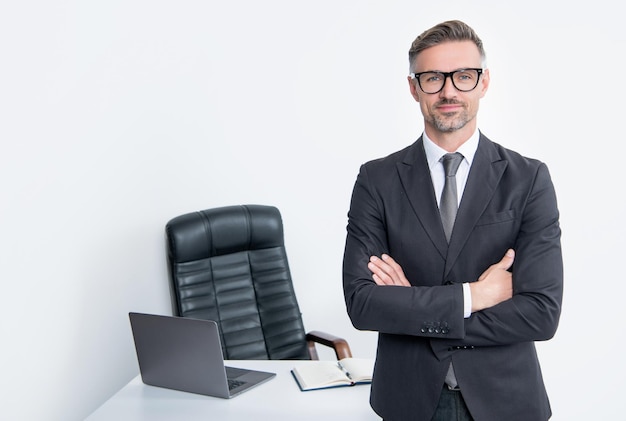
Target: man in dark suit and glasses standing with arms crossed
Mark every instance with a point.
(457, 309)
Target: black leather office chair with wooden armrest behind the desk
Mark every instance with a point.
(229, 264)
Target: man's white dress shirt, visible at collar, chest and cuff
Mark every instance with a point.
(437, 175)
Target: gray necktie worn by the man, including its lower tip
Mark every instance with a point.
(448, 207)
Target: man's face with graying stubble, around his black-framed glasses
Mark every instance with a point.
(449, 110)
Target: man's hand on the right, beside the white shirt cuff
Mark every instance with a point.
(495, 285)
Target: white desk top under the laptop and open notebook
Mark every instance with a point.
(279, 399)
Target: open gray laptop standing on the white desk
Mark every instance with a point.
(185, 354)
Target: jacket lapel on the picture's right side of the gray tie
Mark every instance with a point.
(485, 174)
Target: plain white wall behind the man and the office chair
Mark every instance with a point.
(116, 116)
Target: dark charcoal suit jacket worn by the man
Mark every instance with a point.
(508, 202)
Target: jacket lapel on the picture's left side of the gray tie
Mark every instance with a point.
(415, 177)
